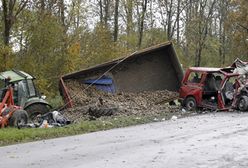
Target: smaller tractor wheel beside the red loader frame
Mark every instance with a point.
(19, 117)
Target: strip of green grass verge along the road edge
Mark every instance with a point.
(10, 136)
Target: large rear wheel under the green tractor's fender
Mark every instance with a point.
(36, 109)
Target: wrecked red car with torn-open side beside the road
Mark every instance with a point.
(214, 89)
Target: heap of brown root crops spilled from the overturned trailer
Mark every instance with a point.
(92, 102)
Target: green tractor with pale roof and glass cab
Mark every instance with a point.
(25, 93)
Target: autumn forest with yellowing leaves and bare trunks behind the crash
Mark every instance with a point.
(48, 38)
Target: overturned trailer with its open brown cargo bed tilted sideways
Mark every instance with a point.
(151, 69)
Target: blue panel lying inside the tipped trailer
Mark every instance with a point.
(105, 84)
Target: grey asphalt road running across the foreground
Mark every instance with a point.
(211, 140)
